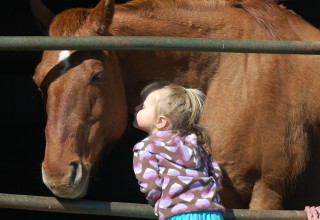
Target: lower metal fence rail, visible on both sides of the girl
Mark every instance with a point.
(52, 204)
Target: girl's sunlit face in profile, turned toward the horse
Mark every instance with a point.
(144, 116)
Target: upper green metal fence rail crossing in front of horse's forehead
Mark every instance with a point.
(40, 43)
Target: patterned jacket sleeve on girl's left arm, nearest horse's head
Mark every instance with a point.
(146, 170)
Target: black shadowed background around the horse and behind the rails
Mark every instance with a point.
(22, 118)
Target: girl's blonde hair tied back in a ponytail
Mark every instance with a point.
(183, 106)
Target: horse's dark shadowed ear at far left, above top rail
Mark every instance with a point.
(43, 16)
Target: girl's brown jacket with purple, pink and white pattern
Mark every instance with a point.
(176, 175)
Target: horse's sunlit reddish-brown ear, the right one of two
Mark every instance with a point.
(101, 16)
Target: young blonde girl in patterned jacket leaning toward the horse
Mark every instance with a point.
(173, 165)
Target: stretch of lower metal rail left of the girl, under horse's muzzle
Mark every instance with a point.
(52, 204)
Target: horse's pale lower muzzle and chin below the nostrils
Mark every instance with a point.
(67, 190)
